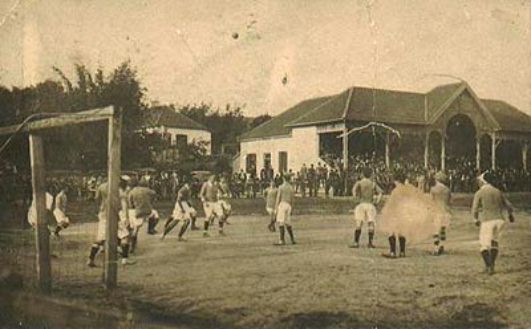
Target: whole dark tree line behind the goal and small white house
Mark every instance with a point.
(84, 147)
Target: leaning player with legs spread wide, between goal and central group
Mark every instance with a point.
(183, 210)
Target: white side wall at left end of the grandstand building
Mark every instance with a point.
(302, 147)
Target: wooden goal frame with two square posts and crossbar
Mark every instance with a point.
(113, 116)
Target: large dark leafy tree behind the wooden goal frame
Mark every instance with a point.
(83, 146)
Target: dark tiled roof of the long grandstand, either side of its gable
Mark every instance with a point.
(390, 106)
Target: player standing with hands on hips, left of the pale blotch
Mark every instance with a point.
(364, 192)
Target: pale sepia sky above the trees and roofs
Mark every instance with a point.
(186, 51)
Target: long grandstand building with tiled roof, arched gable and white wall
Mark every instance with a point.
(294, 136)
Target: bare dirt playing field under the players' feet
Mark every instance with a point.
(243, 281)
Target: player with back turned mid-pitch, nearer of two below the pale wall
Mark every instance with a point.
(283, 206)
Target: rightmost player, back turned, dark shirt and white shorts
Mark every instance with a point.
(488, 210)
